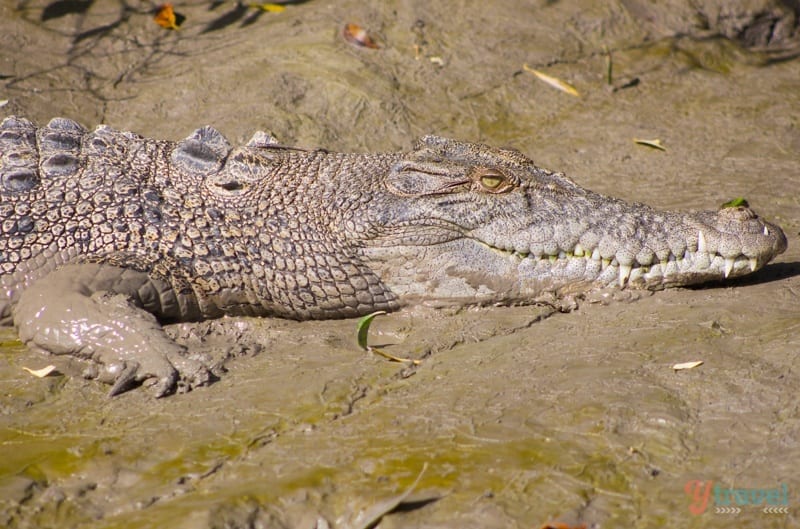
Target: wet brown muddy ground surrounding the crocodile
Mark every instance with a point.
(518, 416)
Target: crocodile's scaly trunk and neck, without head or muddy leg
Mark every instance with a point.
(232, 231)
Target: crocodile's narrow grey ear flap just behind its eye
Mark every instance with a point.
(410, 178)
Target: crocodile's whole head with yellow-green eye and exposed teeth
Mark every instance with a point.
(466, 223)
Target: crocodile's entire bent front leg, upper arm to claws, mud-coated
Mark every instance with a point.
(94, 312)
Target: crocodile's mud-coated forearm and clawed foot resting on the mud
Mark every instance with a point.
(125, 344)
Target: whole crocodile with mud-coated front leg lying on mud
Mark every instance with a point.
(107, 235)
